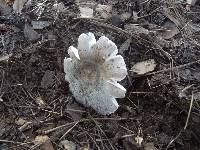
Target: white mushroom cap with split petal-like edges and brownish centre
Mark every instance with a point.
(93, 70)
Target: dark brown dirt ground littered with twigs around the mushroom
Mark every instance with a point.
(161, 110)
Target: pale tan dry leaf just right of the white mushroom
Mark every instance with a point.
(144, 67)
